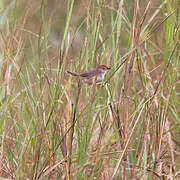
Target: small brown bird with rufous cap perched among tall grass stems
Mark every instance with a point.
(93, 76)
